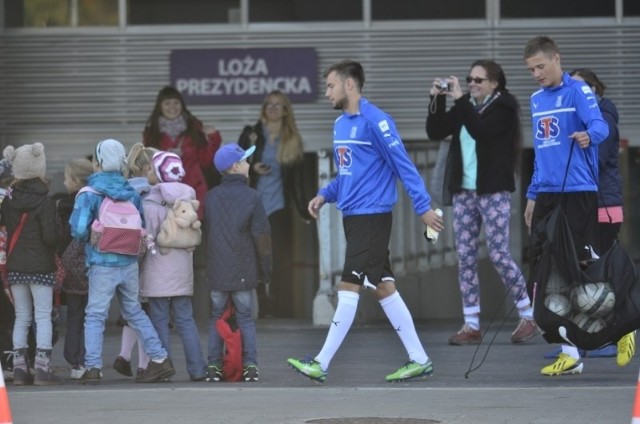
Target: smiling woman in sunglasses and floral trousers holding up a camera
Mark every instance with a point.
(484, 125)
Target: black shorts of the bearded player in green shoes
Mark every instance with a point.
(367, 252)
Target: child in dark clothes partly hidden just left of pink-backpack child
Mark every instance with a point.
(71, 251)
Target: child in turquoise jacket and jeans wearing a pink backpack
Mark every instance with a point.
(108, 215)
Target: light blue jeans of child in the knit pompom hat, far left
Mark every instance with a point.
(32, 300)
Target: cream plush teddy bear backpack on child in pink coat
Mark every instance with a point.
(181, 227)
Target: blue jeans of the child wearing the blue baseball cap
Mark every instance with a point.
(243, 302)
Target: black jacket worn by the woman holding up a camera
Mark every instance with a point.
(494, 131)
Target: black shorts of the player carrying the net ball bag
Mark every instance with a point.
(581, 210)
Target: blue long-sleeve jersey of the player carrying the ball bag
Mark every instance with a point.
(558, 112)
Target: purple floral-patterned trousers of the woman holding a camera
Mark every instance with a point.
(470, 211)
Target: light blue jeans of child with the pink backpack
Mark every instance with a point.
(104, 283)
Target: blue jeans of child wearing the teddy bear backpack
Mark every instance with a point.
(160, 312)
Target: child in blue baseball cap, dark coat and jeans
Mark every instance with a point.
(239, 255)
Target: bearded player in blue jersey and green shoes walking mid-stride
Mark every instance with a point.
(370, 157)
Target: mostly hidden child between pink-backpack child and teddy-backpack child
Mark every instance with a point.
(136, 170)
